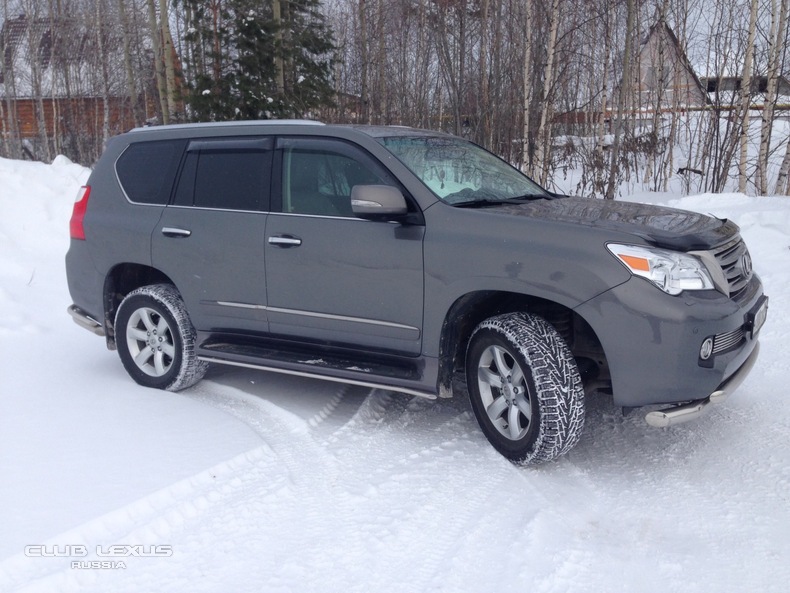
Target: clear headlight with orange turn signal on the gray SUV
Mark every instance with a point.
(672, 271)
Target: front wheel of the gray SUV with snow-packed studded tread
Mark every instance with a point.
(524, 387)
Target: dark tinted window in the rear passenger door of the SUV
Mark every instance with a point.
(227, 175)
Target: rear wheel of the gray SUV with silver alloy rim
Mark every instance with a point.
(156, 340)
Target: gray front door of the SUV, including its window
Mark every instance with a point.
(333, 278)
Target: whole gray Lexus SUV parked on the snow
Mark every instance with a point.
(412, 261)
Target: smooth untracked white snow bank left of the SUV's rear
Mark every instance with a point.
(76, 439)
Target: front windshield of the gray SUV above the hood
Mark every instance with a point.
(460, 172)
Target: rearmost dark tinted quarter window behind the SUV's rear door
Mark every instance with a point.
(146, 170)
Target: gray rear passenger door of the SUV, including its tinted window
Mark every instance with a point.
(210, 240)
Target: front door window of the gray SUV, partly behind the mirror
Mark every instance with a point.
(318, 176)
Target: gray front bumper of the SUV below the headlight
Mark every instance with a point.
(653, 342)
